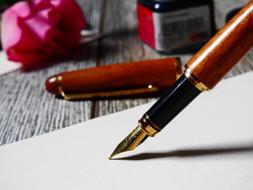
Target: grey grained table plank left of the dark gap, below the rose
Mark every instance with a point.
(28, 110)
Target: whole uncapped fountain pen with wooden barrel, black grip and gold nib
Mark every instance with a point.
(203, 71)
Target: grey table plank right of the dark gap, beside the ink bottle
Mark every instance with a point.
(121, 45)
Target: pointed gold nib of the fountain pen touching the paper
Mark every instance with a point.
(136, 137)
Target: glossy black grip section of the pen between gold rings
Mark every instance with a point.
(172, 102)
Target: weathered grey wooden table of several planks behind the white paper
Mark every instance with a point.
(28, 110)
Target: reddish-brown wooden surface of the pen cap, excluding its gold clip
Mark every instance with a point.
(160, 73)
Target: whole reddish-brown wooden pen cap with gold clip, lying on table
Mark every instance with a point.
(132, 79)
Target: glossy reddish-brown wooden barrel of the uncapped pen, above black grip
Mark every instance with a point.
(224, 50)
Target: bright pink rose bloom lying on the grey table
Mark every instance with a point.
(36, 29)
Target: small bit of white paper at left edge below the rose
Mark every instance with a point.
(7, 66)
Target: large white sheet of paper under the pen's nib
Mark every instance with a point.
(208, 146)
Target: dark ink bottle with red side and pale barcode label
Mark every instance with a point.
(175, 26)
